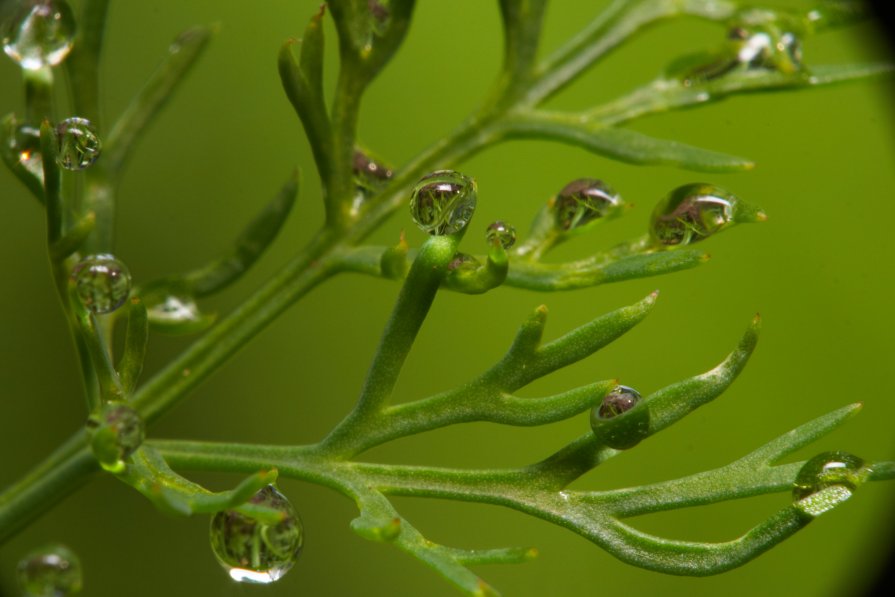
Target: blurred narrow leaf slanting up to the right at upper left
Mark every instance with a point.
(182, 55)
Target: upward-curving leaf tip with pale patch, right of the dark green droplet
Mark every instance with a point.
(674, 402)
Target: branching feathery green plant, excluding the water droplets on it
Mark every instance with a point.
(358, 202)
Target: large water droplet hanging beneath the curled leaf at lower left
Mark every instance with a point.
(252, 551)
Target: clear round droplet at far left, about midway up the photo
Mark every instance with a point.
(102, 282)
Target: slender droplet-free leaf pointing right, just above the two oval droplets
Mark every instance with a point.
(621, 144)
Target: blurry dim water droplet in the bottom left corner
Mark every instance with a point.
(51, 571)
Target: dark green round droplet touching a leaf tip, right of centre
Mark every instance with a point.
(621, 420)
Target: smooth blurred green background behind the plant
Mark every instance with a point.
(819, 272)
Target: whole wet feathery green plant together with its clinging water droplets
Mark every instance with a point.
(74, 168)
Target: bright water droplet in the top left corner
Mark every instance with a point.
(39, 33)
